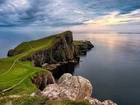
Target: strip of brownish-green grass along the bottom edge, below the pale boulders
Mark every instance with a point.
(27, 100)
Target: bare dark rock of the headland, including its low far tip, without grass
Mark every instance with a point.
(62, 51)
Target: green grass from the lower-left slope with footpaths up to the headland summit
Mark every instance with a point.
(15, 75)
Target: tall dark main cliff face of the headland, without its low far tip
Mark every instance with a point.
(61, 51)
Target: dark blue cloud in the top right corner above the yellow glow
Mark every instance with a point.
(123, 6)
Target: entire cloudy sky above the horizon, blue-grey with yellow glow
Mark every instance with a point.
(84, 15)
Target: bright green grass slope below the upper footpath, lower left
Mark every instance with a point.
(20, 71)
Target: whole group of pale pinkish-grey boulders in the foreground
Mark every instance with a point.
(73, 88)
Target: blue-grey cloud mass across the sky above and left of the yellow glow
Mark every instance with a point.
(57, 13)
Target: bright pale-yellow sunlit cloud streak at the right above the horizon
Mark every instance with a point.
(116, 18)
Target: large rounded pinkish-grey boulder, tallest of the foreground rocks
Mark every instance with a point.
(81, 85)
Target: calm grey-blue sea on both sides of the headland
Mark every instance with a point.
(112, 66)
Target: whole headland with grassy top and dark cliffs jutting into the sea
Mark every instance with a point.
(61, 50)
